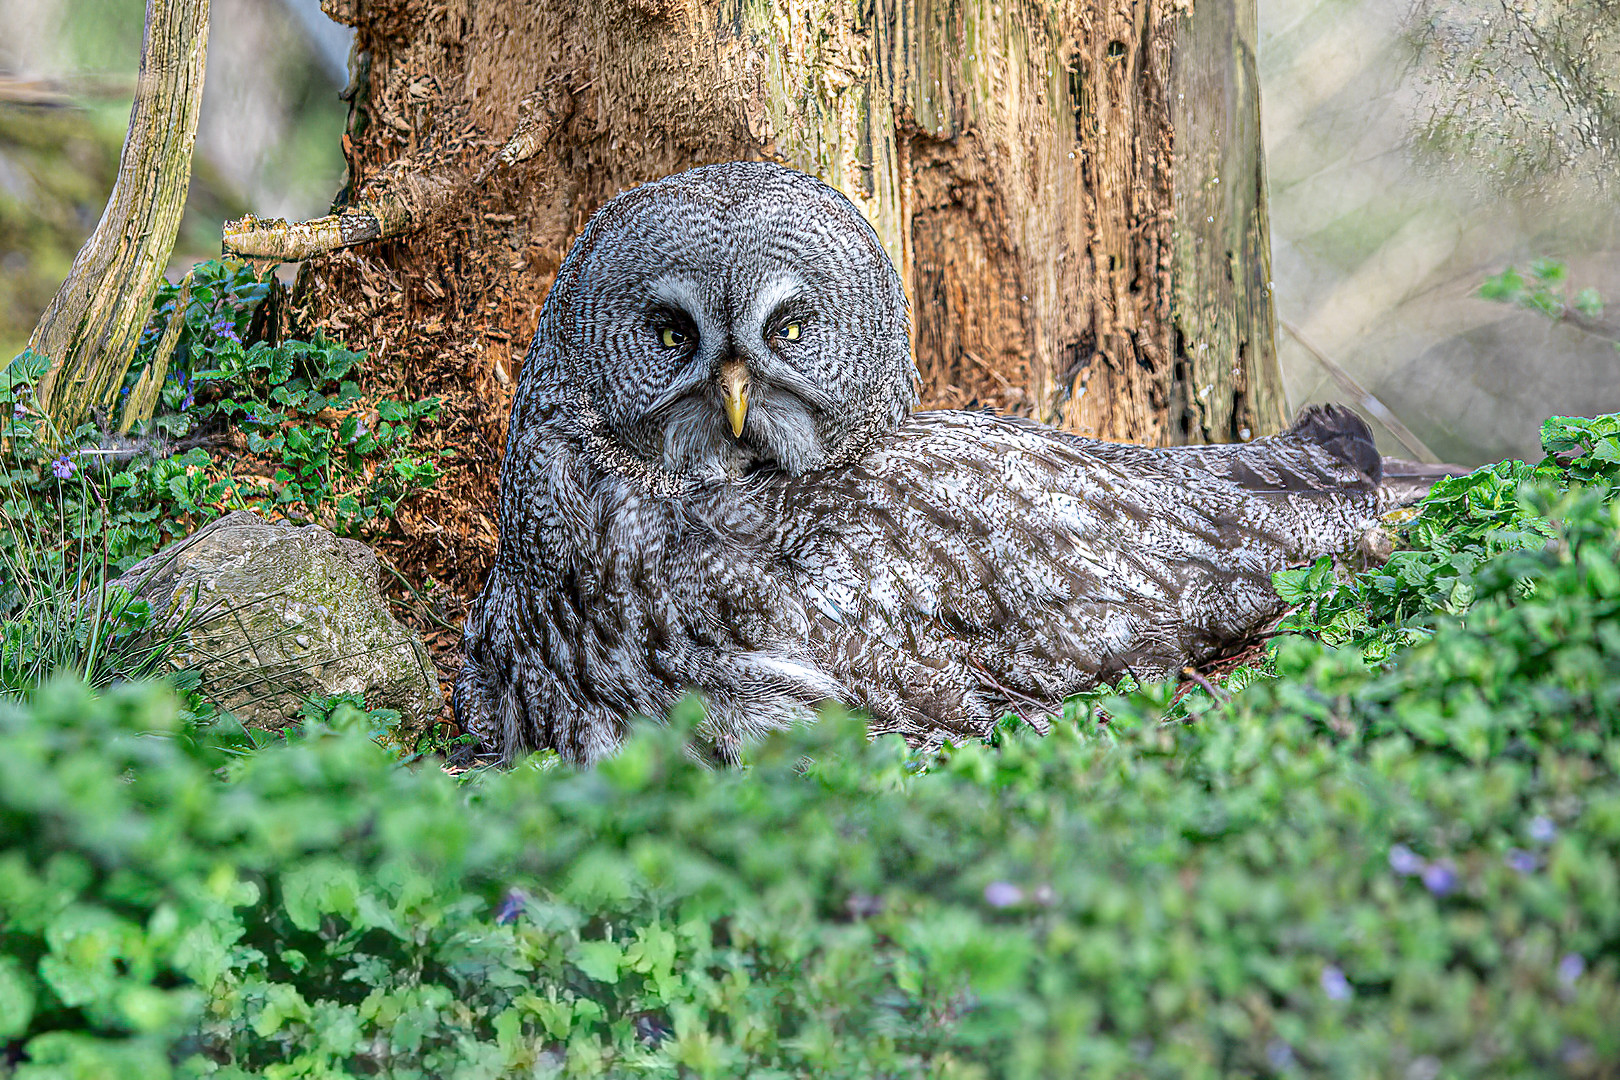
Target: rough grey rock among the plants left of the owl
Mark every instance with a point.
(278, 614)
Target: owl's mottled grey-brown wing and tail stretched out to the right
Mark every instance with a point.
(984, 559)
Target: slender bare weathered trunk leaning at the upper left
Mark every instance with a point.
(93, 325)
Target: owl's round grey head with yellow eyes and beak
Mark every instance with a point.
(731, 320)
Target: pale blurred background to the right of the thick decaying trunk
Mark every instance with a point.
(1415, 151)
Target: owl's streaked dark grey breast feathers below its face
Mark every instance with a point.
(615, 593)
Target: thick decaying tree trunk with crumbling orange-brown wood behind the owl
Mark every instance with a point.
(1065, 258)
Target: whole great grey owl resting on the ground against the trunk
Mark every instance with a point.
(715, 482)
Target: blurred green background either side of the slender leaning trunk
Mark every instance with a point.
(59, 161)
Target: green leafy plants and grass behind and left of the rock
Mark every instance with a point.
(286, 428)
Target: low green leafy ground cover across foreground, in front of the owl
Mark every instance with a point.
(1392, 854)
